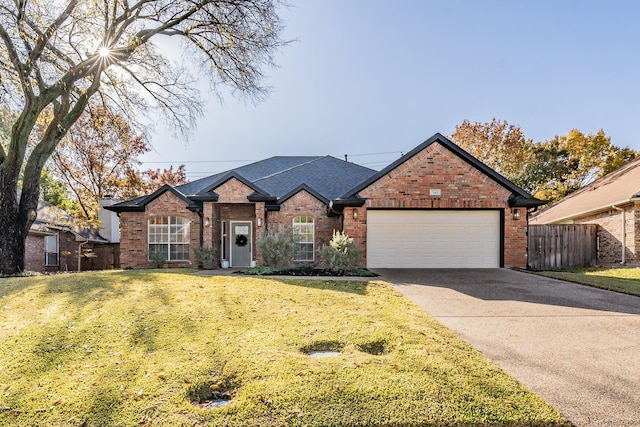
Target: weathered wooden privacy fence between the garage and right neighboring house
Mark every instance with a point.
(559, 247)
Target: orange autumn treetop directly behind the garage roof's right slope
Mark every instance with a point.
(501, 146)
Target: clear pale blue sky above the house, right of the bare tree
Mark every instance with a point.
(372, 79)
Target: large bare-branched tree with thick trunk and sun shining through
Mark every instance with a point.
(60, 54)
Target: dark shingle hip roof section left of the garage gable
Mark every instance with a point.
(324, 176)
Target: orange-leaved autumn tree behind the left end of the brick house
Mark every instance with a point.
(99, 157)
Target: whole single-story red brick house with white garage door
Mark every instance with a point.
(436, 206)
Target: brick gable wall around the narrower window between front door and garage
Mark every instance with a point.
(304, 203)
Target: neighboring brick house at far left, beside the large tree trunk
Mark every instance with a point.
(57, 241)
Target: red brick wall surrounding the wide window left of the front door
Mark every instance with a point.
(134, 235)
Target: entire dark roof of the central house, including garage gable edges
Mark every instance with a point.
(325, 177)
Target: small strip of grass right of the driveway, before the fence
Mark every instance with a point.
(624, 280)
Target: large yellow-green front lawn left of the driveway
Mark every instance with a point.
(132, 348)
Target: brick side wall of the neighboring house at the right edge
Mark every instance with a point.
(610, 233)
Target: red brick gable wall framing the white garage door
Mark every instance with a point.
(462, 187)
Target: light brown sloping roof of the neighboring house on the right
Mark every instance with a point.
(614, 188)
